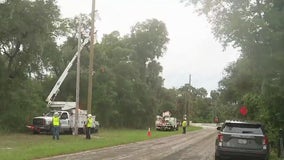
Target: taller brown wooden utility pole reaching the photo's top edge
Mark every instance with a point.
(91, 60)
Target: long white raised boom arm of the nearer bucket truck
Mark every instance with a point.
(57, 85)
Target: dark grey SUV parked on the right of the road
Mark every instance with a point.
(241, 140)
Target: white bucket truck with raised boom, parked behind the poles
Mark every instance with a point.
(66, 110)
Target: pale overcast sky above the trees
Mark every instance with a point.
(192, 48)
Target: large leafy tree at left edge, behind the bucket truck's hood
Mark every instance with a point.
(27, 36)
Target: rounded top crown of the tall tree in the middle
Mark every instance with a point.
(149, 40)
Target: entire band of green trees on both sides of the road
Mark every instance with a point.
(128, 88)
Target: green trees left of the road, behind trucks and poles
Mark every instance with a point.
(36, 45)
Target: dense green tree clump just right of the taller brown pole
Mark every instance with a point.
(125, 87)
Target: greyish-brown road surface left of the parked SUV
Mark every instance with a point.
(197, 145)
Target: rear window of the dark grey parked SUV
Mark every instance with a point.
(243, 128)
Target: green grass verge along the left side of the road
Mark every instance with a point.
(28, 146)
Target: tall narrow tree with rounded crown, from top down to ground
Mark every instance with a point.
(148, 41)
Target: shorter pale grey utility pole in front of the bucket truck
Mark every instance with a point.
(78, 80)
